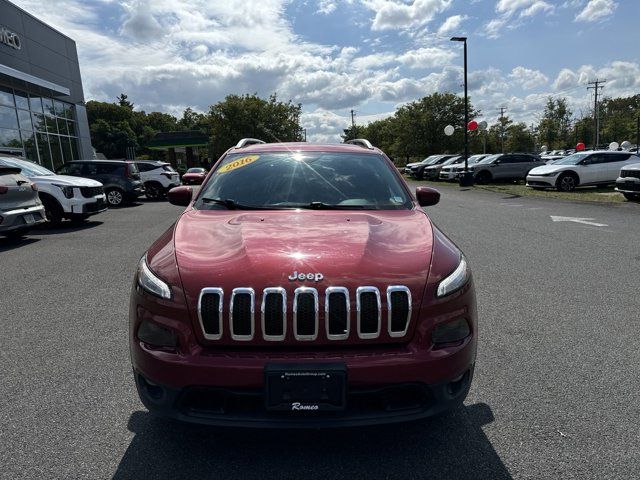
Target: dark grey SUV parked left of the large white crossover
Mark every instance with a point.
(505, 166)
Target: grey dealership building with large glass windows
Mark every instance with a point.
(42, 110)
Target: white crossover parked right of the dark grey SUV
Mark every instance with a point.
(581, 169)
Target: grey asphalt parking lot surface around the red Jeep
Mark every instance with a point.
(555, 392)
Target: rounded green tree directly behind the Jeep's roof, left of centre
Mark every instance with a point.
(240, 116)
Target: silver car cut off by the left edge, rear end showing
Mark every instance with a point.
(20, 206)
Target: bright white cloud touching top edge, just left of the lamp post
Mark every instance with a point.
(397, 15)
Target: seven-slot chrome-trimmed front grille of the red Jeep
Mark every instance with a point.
(305, 313)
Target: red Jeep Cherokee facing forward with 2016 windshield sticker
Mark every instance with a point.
(302, 286)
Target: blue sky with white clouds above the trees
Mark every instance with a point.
(334, 55)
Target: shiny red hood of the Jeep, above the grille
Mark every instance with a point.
(229, 249)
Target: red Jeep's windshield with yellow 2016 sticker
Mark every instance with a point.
(304, 180)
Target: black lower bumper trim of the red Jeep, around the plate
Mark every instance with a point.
(245, 407)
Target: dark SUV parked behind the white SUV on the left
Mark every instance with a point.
(121, 179)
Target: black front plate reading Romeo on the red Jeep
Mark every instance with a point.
(305, 388)
